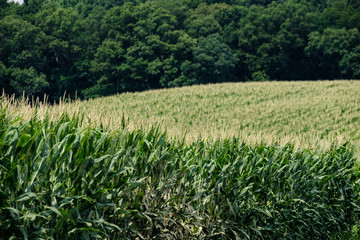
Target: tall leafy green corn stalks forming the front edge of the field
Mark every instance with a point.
(61, 181)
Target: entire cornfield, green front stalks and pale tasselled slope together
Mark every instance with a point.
(104, 168)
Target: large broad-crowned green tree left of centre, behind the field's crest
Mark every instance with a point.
(147, 54)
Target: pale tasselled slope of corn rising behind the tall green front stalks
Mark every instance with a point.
(308, 114)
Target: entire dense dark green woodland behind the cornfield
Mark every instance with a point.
(104, 47)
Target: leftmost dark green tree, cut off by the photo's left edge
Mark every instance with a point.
(21, 57)
